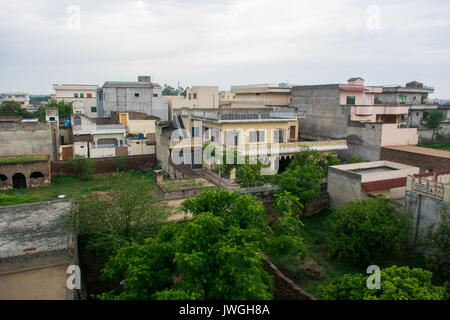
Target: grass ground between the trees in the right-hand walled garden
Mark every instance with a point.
(317, 269)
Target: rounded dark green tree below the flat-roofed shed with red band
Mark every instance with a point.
(366, 232)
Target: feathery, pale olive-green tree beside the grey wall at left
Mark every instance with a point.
(125, 212)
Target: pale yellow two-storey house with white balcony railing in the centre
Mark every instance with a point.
(271, 135)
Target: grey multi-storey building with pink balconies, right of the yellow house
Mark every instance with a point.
(350, 111)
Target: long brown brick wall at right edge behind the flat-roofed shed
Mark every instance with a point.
(423, 161)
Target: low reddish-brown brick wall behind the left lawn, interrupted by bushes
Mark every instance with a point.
(105, 165)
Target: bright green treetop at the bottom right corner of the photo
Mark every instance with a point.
(397, 283)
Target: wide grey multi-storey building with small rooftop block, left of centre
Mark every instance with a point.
(141, 96)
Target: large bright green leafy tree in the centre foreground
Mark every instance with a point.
(214, 256)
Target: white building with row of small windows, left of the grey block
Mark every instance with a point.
(82, 96)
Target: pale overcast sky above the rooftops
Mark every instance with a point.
(223, 43)
